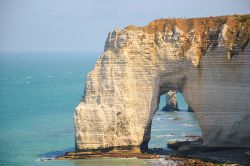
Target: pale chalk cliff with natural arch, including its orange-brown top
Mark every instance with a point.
(206, 58)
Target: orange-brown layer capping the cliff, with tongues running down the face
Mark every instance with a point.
(206, 31)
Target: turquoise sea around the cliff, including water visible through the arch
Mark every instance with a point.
(38, 95)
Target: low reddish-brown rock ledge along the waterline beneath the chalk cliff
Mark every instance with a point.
(175, 159)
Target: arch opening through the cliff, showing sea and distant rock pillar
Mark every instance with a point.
(173, 121)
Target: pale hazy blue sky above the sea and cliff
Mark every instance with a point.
(83, 25)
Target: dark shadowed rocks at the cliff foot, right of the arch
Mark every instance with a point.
(195, 150)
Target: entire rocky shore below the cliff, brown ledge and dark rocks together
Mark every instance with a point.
(186, 153)
